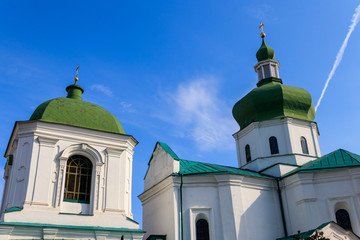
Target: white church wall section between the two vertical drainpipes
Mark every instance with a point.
(236, 206)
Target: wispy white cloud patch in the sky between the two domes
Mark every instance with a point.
(201, 115)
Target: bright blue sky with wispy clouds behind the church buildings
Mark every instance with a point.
(172, 70)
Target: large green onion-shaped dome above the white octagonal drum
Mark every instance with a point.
(273, 100)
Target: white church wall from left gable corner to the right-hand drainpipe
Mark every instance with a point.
(236, 207)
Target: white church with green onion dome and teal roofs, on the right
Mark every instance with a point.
(282, 184)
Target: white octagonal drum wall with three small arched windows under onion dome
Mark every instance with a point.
(288, 132)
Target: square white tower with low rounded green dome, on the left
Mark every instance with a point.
(68, 174)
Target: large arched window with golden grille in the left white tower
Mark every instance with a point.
(78, 179)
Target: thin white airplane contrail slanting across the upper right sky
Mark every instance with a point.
(354, 22)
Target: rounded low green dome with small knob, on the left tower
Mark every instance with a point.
(75, 112)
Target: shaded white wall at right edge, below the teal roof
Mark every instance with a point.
(310, 199)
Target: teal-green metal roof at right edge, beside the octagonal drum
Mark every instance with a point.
(334, 160)
